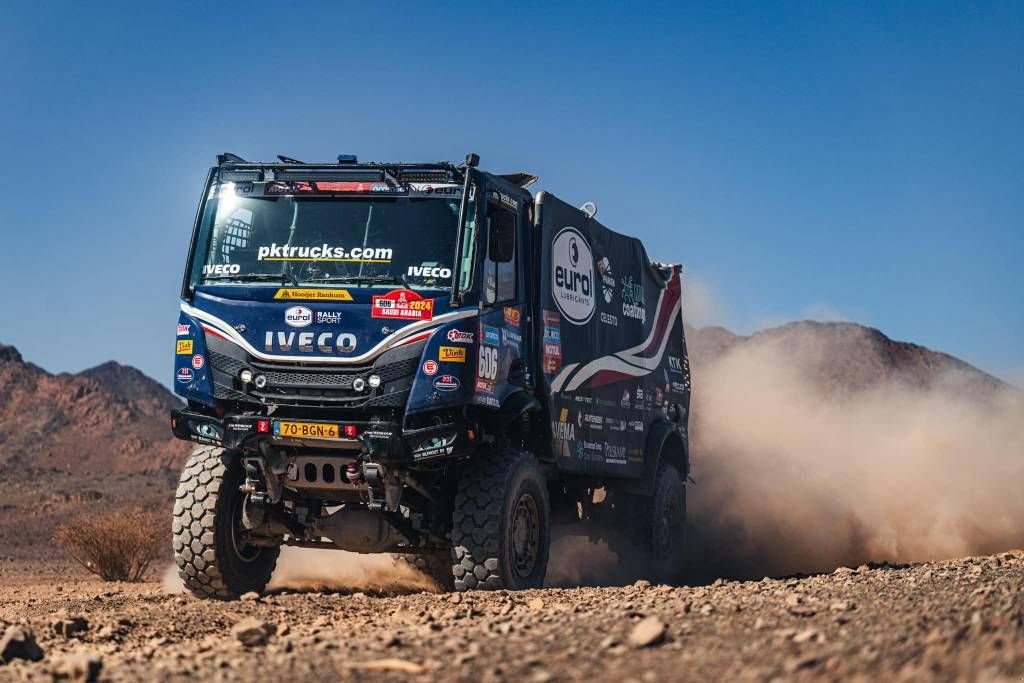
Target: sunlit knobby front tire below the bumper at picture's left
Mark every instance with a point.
(214, 561)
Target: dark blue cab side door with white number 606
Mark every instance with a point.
(502, 367)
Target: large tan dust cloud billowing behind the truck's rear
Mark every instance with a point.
(794, 477)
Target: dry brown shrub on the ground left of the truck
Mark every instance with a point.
(118, 545)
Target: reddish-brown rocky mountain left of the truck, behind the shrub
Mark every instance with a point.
(108, 419)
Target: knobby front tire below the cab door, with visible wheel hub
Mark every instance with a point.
(501, 524)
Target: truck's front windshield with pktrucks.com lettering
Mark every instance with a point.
(362, 241)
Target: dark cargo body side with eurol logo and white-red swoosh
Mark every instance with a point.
(612, 347)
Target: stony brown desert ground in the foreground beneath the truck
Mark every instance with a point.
(961, 620)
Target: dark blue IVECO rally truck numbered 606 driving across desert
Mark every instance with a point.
(424, 360)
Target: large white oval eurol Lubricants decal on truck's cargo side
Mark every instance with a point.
(573, 276)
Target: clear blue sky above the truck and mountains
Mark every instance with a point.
(862, 162)
